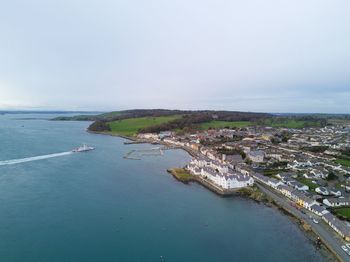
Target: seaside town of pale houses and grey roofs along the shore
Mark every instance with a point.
(307, 168)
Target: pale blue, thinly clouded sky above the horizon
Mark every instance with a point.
(253, 55)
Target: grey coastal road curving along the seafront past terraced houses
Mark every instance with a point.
(321, 229)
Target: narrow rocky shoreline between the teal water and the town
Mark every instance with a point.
(252, 193)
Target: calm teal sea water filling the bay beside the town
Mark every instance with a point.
(97, 206)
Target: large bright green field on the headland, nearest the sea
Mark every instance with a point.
(131, 126)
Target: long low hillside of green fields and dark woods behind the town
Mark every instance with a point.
(132, 122)
